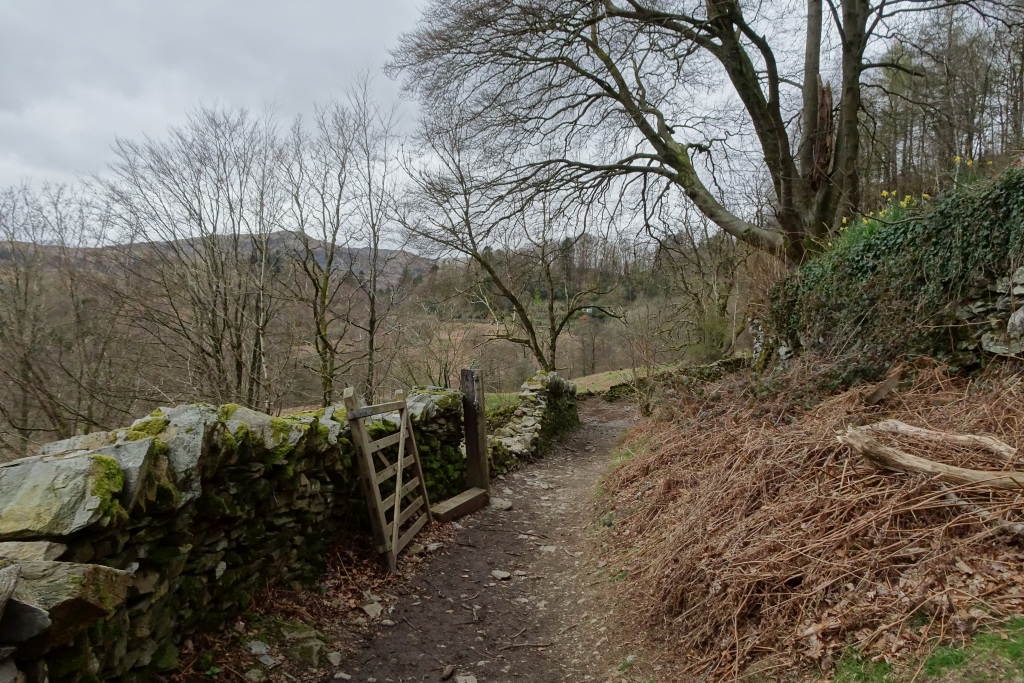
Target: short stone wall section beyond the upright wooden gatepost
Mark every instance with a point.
(547, 410)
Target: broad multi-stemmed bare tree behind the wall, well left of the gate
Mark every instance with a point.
(196, 214)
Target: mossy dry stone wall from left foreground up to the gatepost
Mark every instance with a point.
(116, 546)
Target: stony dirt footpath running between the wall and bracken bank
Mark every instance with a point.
(549, 620)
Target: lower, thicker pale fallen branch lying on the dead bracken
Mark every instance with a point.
(893, 459)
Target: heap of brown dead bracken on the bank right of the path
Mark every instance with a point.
(755, 540)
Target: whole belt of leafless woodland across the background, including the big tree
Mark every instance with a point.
(586, 187)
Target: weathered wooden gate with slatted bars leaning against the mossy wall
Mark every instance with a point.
(399, 518)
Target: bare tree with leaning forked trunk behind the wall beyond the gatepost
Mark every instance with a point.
(523, 246)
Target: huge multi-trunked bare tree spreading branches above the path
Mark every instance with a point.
(646, 95)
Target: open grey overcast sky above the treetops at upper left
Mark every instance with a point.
(75, 74)
